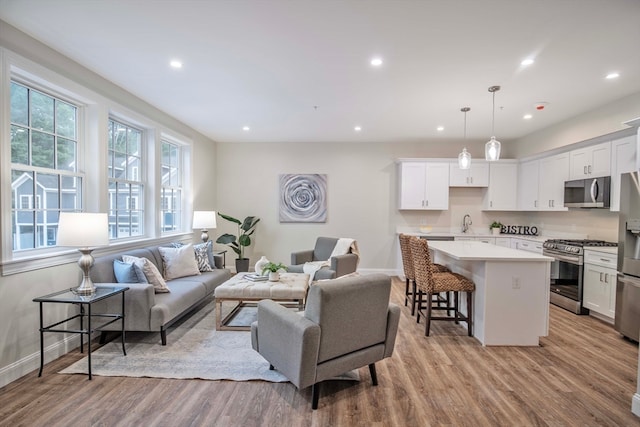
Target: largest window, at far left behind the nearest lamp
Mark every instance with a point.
(44, 170)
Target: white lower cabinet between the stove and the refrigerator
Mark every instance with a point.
(599, 282)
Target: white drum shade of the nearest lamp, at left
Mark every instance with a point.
(83, 229)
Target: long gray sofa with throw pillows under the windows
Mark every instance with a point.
(146, 310)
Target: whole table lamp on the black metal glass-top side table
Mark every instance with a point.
(85, 231)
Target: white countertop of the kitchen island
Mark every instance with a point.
(480, 251)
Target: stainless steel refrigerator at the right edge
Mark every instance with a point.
(627, 320)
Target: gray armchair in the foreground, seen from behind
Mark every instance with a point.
(348, 323)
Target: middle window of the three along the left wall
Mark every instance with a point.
(126, 190)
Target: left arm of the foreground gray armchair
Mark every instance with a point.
(288, 341)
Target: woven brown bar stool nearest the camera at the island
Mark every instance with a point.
(430, 282)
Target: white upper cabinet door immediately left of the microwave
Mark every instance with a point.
(554, 171)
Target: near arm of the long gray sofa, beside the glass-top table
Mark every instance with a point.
(138, 301)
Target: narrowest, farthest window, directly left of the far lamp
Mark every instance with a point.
(171, 197)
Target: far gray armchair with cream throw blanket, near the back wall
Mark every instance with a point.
(338, 265)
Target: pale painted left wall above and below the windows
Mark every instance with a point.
(19, 336)
